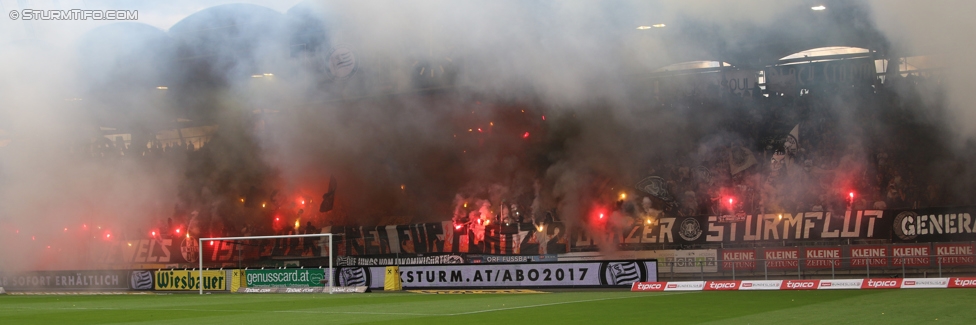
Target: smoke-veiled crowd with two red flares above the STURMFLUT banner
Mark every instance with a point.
(853, 147)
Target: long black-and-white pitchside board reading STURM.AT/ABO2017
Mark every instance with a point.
(545, 274)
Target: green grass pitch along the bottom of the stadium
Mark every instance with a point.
(916, 306)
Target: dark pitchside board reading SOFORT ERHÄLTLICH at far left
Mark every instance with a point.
(69, 280)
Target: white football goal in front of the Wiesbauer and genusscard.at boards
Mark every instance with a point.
(321, 242)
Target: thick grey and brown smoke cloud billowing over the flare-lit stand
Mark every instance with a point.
(552, 92)
